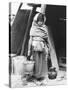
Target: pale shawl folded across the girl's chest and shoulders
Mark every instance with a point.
(37, 30)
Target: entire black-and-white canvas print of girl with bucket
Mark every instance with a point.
(37, 45)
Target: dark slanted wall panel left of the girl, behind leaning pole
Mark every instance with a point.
(18, 30)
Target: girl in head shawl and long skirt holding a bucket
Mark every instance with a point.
(40, 46)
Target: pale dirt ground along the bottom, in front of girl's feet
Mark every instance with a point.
(18, 82)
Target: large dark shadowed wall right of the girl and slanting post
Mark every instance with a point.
(56, 22)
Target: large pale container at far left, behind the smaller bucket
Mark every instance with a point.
(17, 65)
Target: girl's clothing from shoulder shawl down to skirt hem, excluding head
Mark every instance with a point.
(40, 49)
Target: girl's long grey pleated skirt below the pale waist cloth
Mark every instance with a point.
(40, 68)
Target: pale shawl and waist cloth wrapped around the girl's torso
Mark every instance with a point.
(39, 35)
